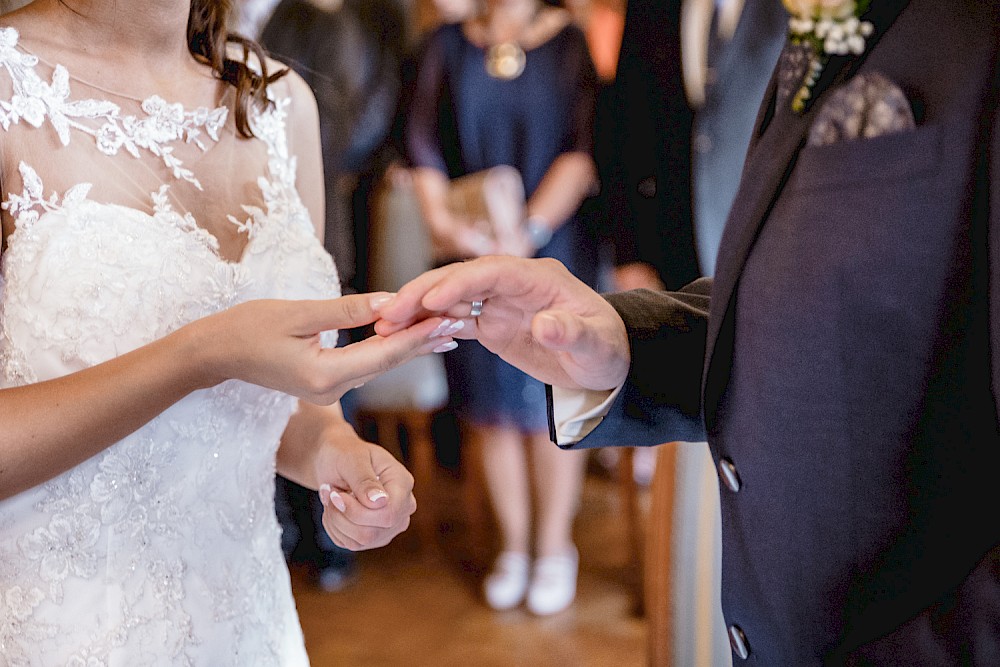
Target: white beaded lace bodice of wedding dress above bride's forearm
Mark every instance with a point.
(88, 281)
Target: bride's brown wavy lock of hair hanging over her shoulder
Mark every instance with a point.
(208, 38)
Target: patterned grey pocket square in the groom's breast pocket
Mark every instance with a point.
(867, 106)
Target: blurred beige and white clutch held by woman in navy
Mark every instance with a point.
(491, 200)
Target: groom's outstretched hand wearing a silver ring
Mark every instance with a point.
(536, 315)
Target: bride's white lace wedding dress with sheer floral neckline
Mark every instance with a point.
(164, 548)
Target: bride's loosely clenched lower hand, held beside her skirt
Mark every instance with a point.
(367, 494)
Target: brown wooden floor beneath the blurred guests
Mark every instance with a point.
(412, 608)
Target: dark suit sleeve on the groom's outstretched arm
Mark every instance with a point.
(661, 399)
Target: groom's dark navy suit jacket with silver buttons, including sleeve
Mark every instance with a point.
(850, 372)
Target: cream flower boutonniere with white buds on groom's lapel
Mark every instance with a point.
(825, 28)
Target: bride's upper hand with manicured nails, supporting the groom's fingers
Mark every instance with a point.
(276, 344)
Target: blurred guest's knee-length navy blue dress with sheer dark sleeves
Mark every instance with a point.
(462, 120)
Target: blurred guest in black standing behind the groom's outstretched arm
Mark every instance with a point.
(690, 78)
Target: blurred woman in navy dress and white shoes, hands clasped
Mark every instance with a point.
(513, 86)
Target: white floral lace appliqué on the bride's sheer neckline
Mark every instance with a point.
(48, 97)
